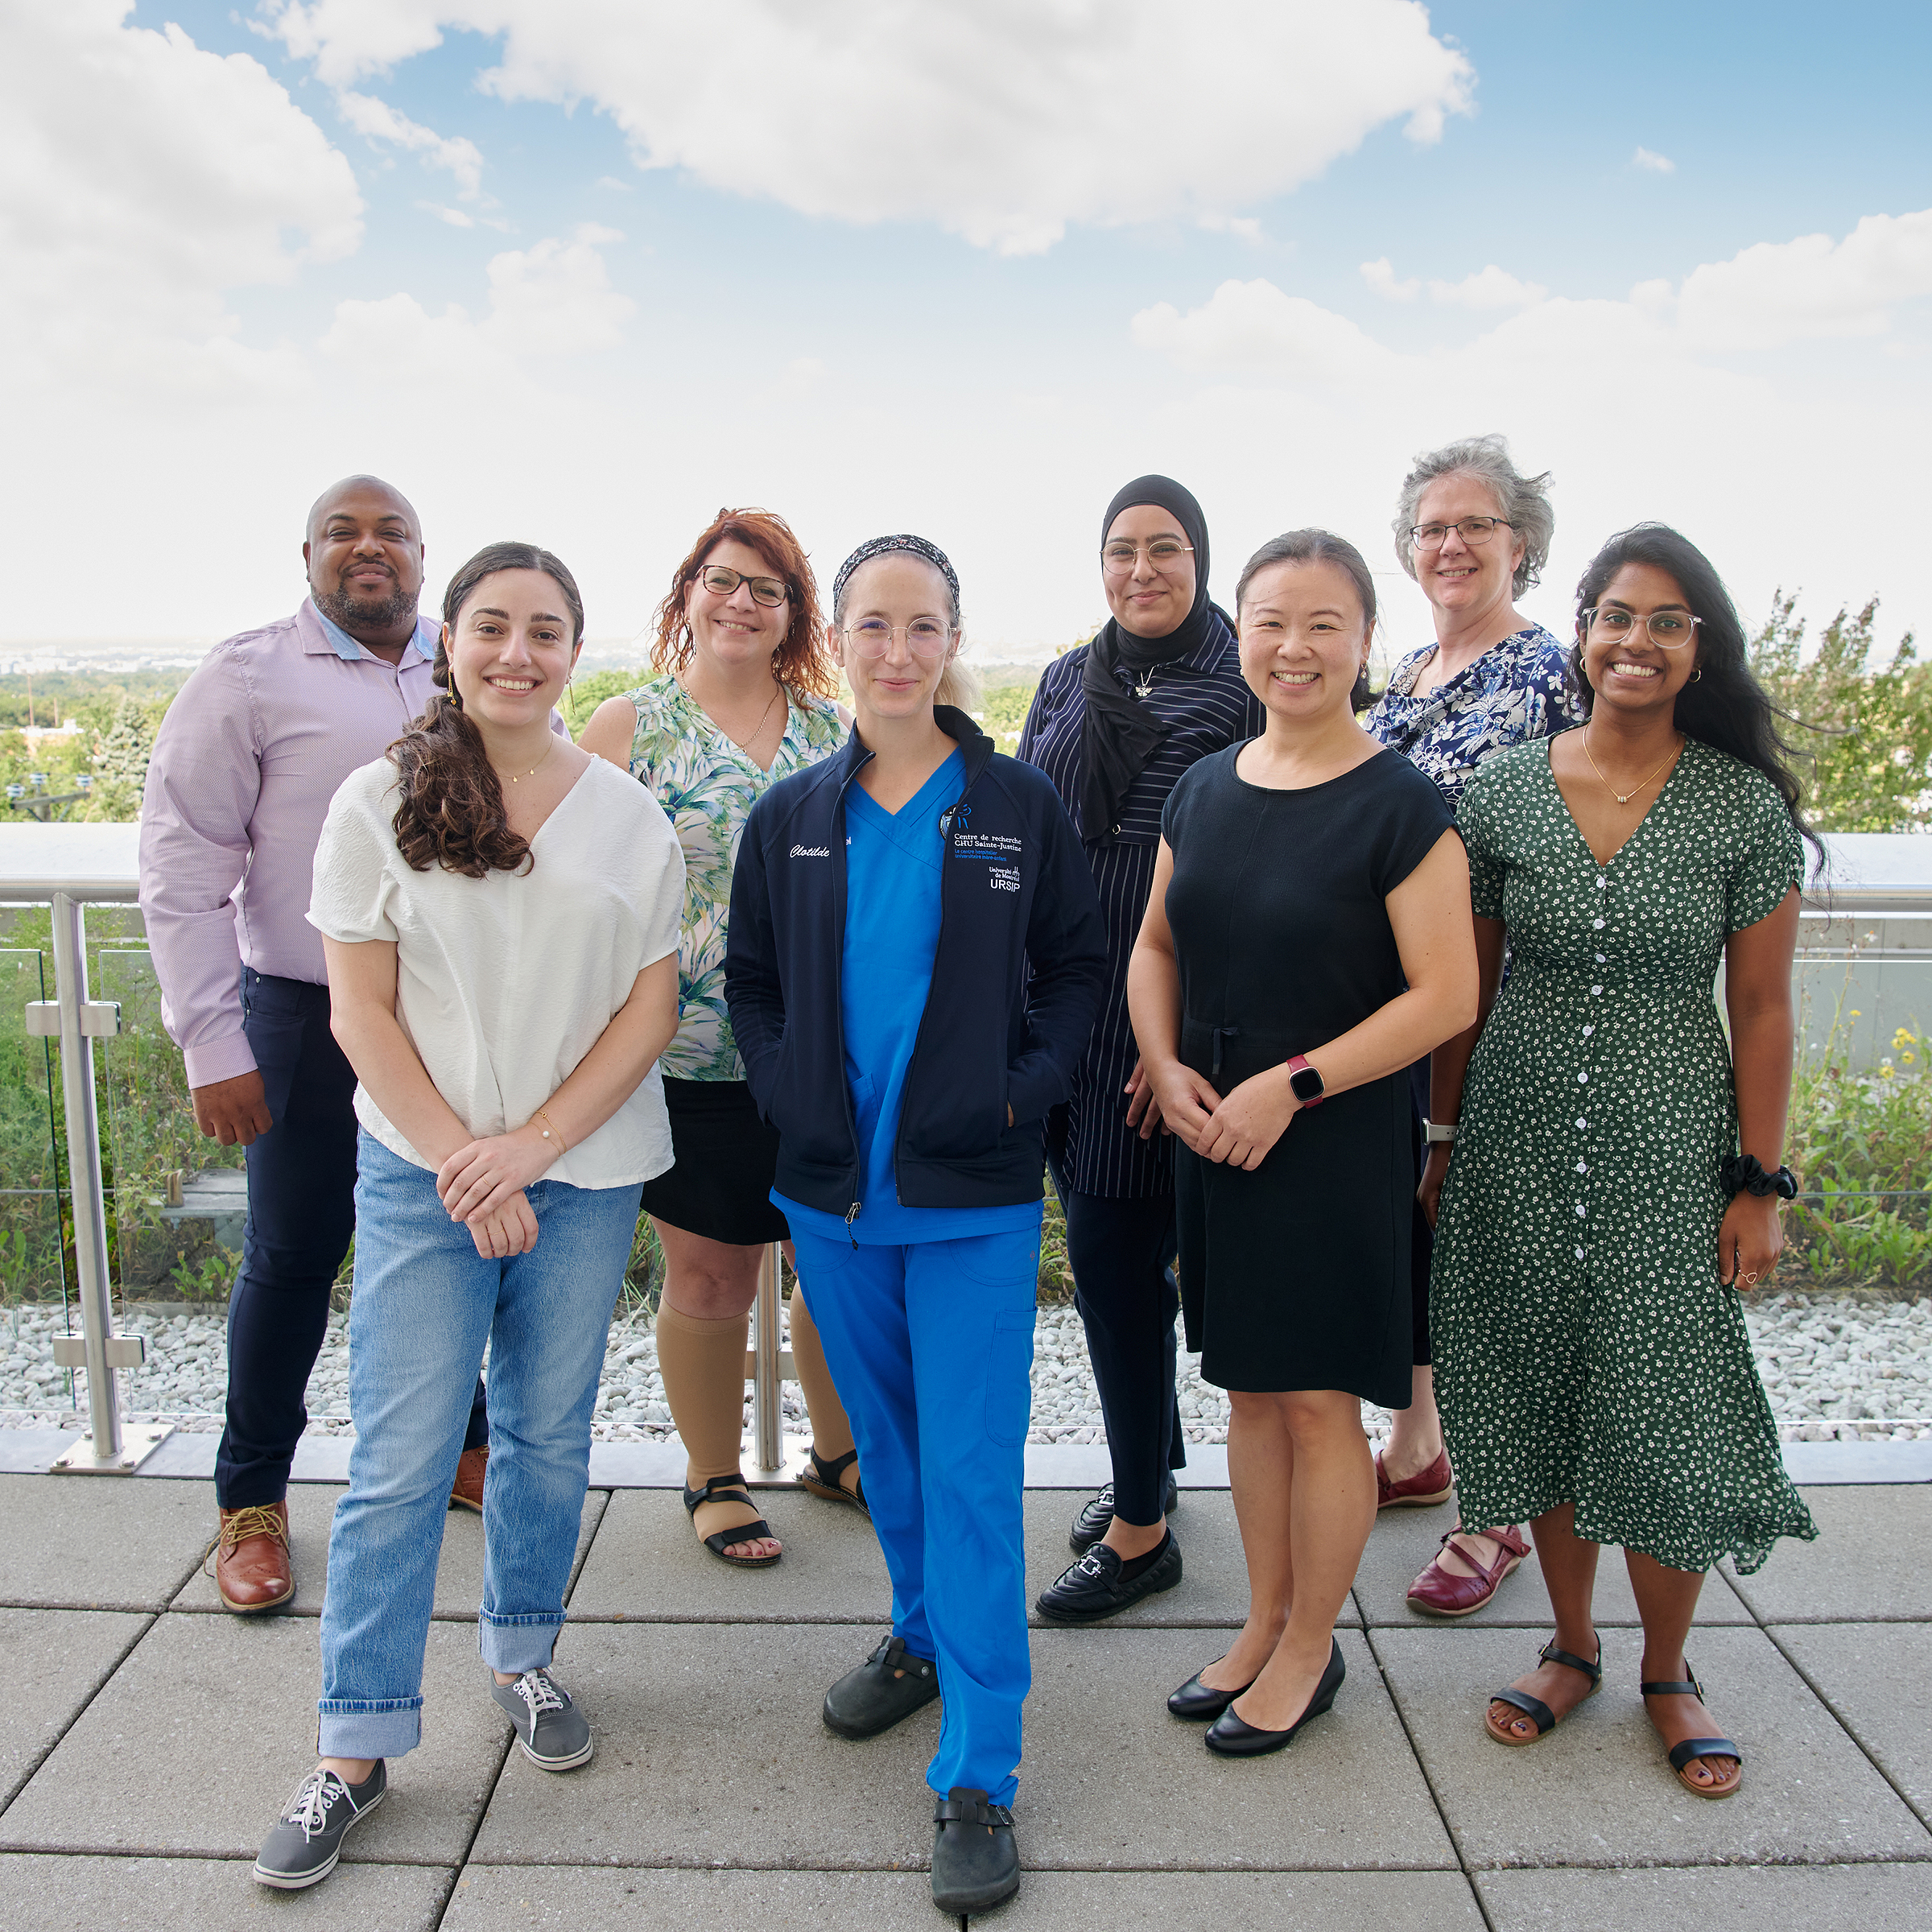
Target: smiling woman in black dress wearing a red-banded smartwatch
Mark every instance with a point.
(1309, 940)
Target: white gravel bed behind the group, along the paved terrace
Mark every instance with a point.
(1834, 1367)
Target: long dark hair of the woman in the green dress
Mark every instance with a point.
(1726, 708)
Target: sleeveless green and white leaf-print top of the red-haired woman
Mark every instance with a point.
(708, 789)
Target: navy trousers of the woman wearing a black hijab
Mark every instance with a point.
(1123, 1261)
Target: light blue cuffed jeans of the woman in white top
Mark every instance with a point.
(424, 1307)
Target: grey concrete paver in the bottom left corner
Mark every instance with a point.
(53, 1894)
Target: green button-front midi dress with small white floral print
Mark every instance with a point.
(1585, 1350)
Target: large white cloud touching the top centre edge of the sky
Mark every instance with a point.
(1004, 121)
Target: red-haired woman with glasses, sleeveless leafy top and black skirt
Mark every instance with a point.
(739, 702)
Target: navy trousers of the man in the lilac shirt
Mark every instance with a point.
(300, 1220)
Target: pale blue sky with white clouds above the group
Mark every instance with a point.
(581, 271)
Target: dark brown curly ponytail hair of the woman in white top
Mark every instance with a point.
(453, 810)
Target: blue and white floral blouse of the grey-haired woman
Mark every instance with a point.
(1512, 695)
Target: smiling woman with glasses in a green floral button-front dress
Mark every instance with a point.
(1599, 1220)
